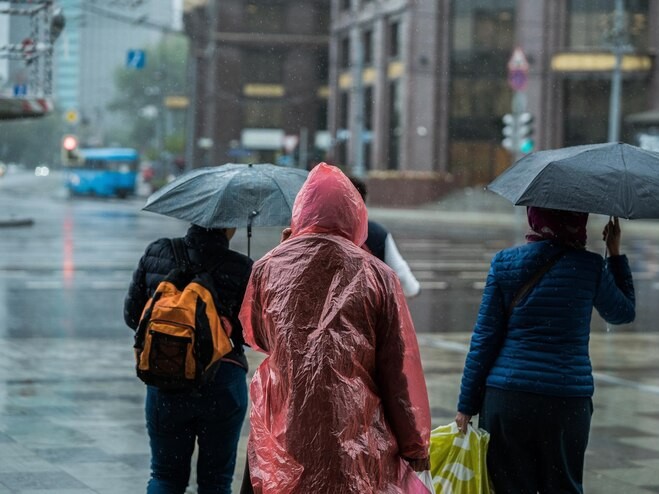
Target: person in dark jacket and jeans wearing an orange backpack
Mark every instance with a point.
(210, 410)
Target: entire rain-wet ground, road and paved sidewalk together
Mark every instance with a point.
(71, 408)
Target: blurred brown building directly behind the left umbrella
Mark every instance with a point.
(258, 80)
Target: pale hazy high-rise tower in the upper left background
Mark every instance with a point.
(94, 44)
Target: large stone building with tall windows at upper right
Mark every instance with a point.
(425, 83)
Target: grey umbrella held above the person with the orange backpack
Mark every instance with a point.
(231, 195)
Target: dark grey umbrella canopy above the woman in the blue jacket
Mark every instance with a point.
(613, 179)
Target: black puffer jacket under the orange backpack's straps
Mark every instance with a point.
(206, 248)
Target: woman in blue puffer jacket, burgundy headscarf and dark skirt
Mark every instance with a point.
(528, 373)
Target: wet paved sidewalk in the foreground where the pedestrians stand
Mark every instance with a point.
(71, 424)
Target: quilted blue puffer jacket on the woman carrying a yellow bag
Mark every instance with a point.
(544, 346)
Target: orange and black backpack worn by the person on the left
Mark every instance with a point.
(180, 338)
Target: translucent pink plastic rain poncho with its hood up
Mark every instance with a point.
(341, 396)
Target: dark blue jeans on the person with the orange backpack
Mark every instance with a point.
(214, 417)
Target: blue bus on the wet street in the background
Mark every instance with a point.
(104, 172)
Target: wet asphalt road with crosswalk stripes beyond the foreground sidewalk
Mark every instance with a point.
(67, 273)
